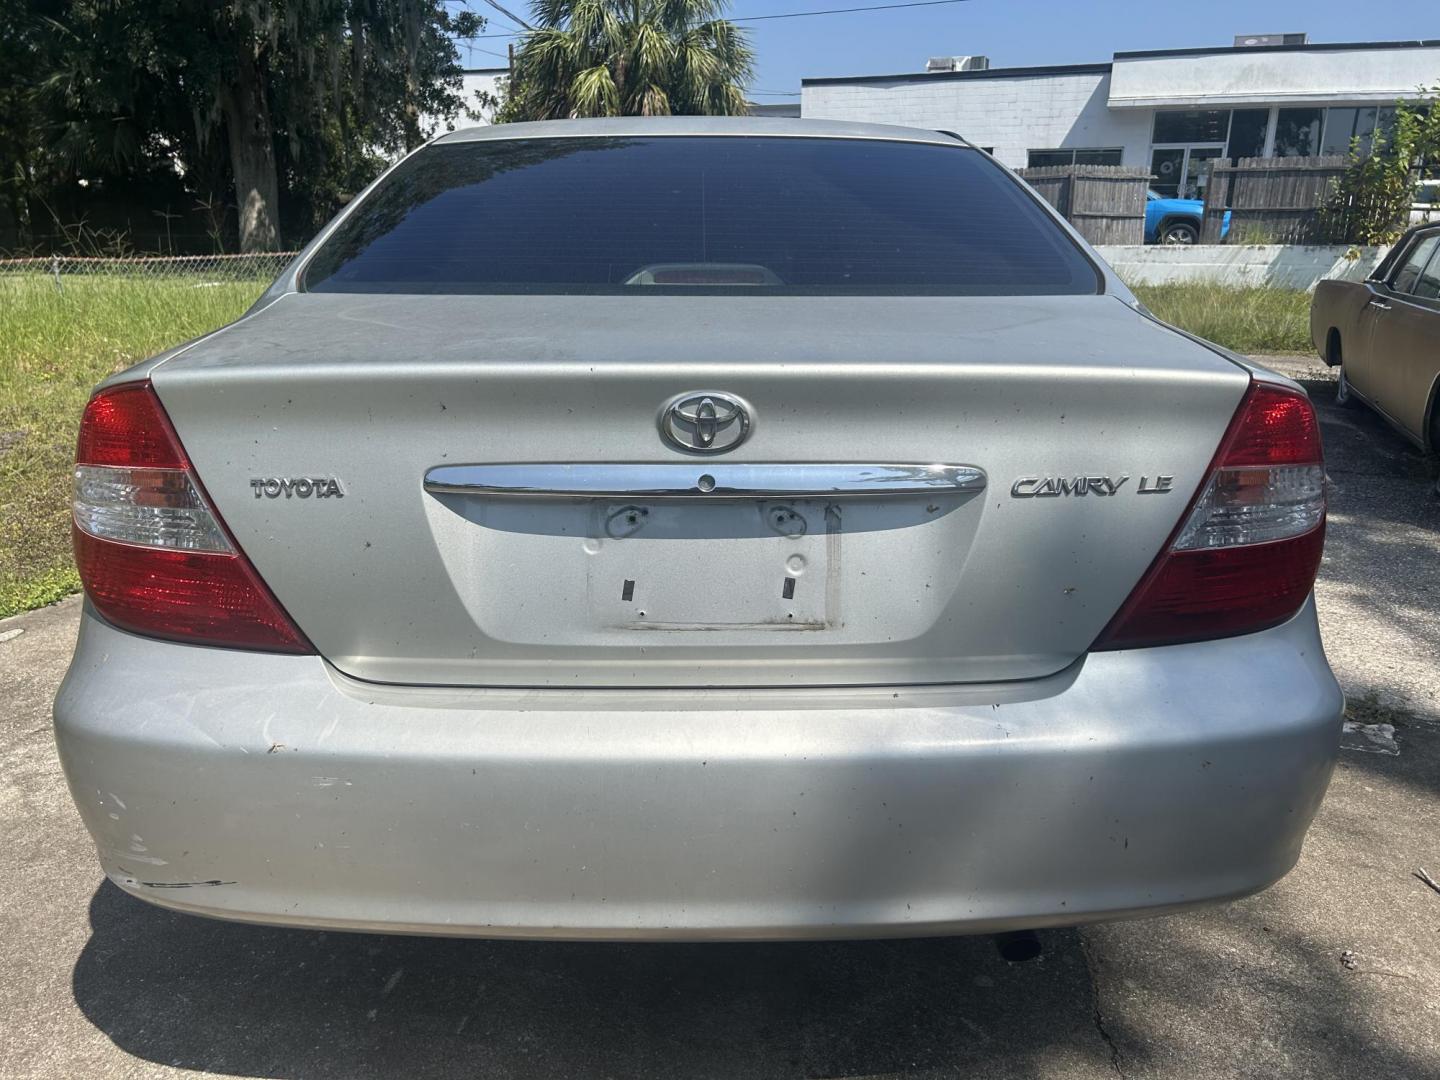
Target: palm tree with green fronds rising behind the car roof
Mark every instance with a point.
(630, 58)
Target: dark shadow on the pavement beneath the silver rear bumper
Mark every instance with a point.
(258, 1002)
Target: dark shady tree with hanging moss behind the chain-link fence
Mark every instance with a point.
(269, 113)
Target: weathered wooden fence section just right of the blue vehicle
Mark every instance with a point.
(1274, 201)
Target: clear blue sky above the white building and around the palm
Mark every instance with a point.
(1022, 32)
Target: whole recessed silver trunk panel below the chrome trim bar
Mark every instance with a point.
(557, 578)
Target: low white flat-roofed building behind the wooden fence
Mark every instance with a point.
(1170, 112)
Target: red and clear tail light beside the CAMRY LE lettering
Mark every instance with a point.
(1251, 544)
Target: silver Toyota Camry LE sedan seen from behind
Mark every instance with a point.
(698, 529)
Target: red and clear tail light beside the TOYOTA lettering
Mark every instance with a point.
(153, 555)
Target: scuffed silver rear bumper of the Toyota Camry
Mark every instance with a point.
(274, 790)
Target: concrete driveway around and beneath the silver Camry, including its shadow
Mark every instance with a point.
(1336, 973)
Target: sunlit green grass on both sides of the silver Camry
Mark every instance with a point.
(54, 348)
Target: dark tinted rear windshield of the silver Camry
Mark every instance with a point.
(680, 214)
